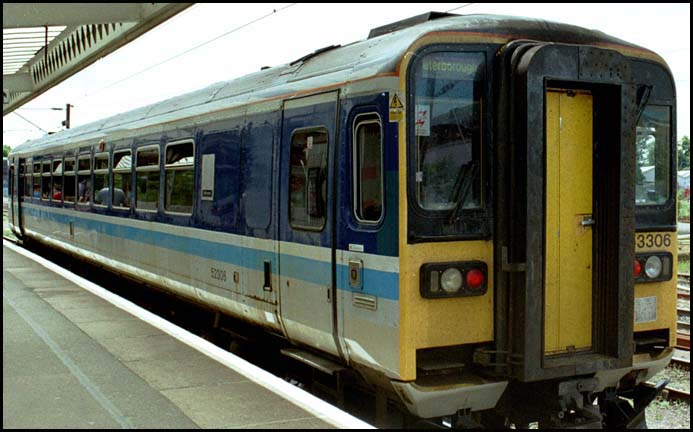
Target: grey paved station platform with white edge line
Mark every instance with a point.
(72, 359)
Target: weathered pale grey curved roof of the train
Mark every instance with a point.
(380, 54)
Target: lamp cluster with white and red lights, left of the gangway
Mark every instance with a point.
(456, 279)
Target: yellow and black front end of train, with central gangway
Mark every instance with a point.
(517, 260)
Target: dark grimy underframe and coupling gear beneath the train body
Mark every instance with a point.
(609, 398)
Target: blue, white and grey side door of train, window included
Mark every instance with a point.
(307, 254)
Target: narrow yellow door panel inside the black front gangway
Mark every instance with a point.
(568, 259)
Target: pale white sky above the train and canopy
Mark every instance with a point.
(162, 64)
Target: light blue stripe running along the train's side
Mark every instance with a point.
(378, 283)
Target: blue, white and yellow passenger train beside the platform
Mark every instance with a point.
(475, 215)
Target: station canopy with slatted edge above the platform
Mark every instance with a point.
(46, 43)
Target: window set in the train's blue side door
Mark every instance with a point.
(308, 179)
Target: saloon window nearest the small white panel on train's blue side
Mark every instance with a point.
(180, 177)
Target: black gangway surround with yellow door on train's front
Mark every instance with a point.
(566, 218)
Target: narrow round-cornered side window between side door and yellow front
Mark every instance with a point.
(368, 169)
